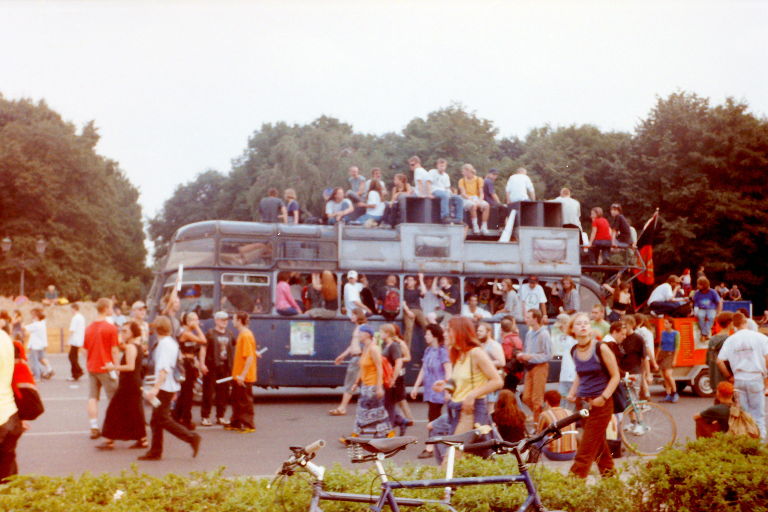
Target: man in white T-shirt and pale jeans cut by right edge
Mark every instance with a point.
(747, 352)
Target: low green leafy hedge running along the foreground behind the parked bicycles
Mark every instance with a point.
(724, 473)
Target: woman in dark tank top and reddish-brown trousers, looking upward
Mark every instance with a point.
(597, 377)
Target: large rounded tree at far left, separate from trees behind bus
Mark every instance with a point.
(56, 186)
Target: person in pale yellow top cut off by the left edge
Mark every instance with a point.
(10, 424)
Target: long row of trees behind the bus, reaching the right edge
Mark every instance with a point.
(704, 166)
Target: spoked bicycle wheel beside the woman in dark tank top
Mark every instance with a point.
(647, 428)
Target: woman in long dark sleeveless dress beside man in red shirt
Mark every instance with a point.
(125, 414)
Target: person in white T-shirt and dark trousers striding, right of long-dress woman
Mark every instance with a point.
(166, 386)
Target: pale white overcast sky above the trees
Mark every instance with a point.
(177, 87)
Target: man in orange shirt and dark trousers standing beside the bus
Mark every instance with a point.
(244, 376)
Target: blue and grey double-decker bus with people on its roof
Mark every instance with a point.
(233, 266)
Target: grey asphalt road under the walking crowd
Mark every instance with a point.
(58, 444)
